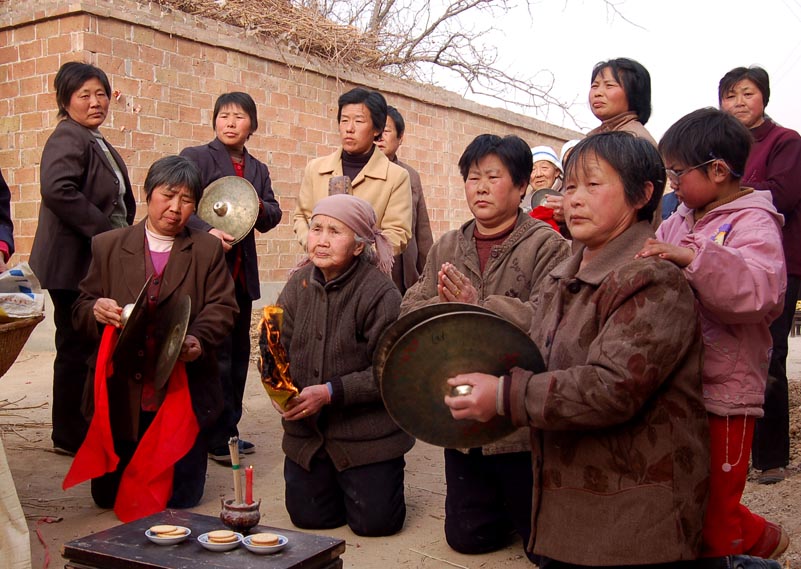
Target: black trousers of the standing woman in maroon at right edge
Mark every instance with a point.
(771, 446)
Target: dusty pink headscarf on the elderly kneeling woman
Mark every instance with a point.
(360, 217)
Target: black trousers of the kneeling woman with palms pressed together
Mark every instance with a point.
(488, 499)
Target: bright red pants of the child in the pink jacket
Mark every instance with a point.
(729, 527)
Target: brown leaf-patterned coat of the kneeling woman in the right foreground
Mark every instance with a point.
(619, 429)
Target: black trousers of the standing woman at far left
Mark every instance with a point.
(70, 368)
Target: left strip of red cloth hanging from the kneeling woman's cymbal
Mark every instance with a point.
(96, 455)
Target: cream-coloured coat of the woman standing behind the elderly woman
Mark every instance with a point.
(384, 184)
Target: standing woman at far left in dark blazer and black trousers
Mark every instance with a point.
(85, 192)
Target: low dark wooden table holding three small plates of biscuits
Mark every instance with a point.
(126, 547)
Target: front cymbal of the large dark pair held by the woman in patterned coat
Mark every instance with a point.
(414, 374)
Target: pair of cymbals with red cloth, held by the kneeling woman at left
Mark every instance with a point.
(174, 321)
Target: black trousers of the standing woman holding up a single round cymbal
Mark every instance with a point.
(233, 358)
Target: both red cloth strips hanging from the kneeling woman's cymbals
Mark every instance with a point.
(146, 484)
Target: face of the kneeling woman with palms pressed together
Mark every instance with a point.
(491, 195)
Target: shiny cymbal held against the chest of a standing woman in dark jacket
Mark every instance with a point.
(231, 205)
